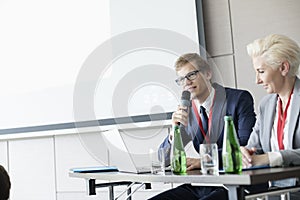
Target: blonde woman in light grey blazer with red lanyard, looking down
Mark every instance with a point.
(276, 134)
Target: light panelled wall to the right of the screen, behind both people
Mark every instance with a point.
(231, 25)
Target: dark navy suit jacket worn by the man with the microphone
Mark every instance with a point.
(228, 101)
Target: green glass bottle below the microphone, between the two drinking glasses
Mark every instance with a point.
(178, 162)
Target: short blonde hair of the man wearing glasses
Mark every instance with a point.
(193, 58)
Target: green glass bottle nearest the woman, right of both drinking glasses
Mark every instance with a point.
(231, 153)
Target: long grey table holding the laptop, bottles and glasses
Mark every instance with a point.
(234, 182)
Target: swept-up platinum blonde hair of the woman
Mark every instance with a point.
(275, 49)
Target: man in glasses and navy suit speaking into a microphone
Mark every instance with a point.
(212, 101)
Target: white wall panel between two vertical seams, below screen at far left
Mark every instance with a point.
(31, 169)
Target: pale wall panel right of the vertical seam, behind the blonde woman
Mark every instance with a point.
(255, 19)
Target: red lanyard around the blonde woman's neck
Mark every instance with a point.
(281, 120)
